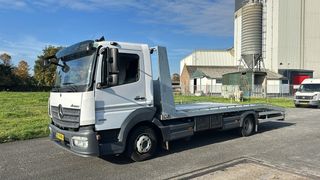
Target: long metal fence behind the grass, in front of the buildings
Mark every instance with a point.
(282, 90)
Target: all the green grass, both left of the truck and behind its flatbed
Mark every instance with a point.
(23, 115)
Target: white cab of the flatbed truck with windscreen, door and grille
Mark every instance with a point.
(98, 86)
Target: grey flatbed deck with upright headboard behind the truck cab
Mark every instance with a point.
(169, 110)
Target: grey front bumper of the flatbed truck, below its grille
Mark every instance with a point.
(67, 143)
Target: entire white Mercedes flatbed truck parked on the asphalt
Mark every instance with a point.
(105, 102)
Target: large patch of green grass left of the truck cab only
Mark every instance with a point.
(23, 115)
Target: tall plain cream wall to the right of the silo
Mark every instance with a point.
(293, 36)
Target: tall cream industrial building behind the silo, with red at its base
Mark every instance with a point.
(290, 36)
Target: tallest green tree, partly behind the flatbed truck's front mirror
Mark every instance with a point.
(45, 76)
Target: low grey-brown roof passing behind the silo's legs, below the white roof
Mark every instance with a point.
(216, 72)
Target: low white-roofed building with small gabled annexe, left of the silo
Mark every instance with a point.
(202, 70)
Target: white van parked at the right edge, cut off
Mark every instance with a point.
(308, 93)
